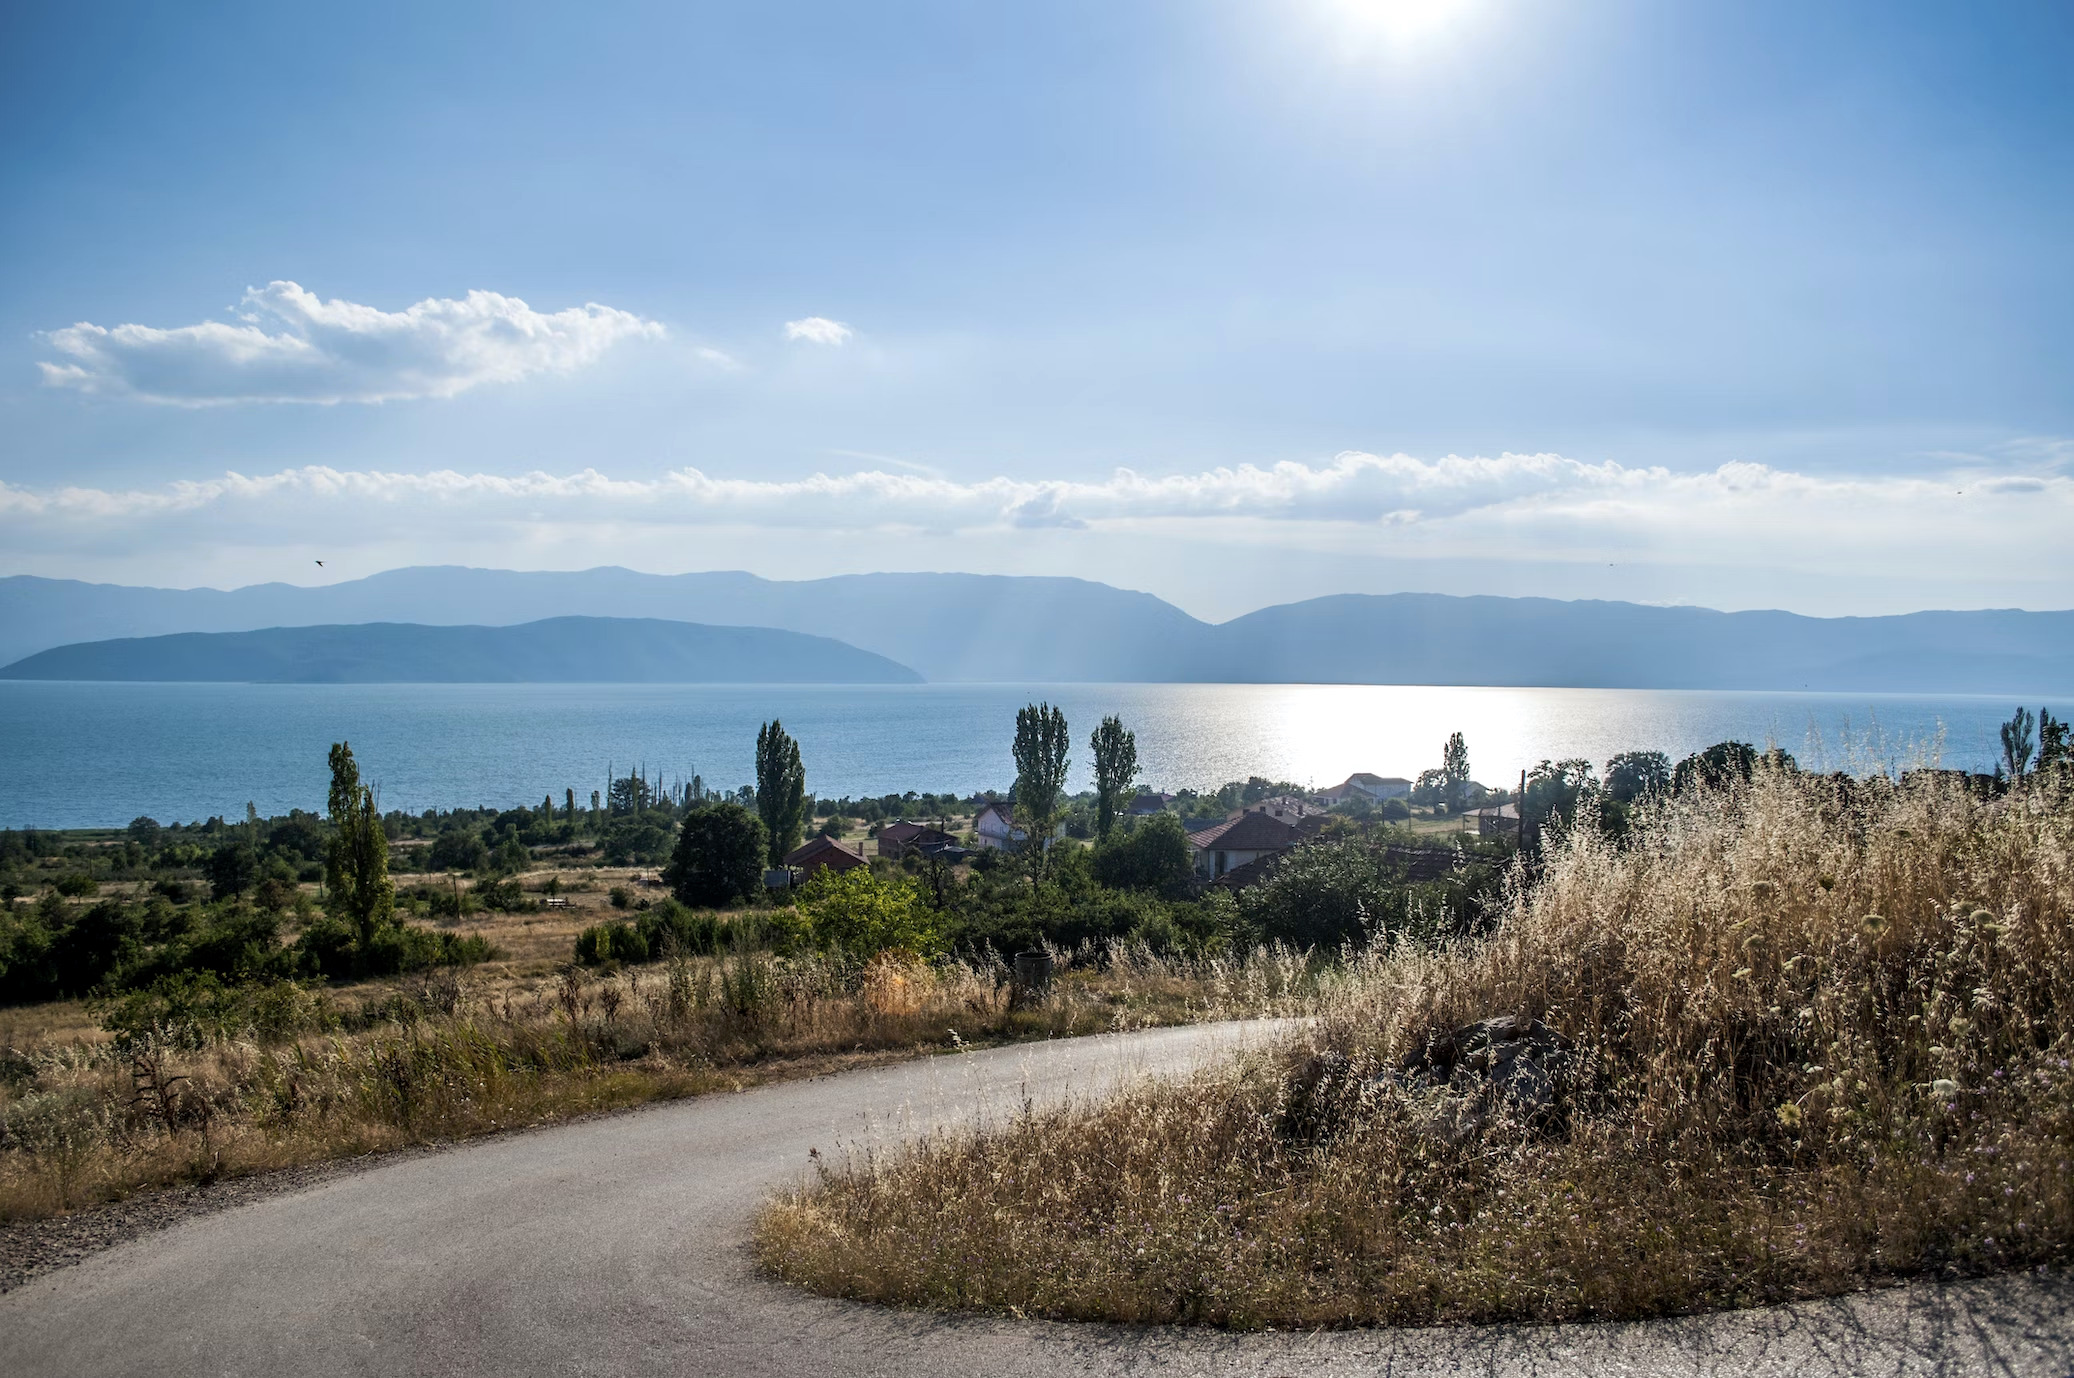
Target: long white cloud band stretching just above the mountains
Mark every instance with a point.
(1511, 507)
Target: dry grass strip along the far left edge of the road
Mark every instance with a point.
(314, 1076)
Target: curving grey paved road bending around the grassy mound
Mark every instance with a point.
(619, 1246)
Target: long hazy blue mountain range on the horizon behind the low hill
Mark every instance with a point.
(1034, 630)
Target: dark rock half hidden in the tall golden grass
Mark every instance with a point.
(1507, 1070)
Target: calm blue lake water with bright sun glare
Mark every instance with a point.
(80, 756)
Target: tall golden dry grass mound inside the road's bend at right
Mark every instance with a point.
(1822, 1037)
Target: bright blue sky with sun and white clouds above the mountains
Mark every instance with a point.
(1237, 302)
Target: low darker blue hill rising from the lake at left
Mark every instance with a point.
(555, 651)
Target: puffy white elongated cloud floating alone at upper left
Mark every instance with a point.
(293, 348)
